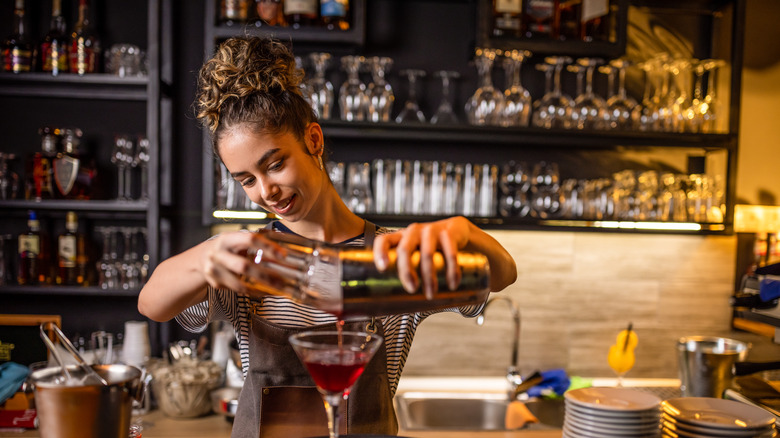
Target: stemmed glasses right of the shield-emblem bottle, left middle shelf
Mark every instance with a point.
(130, 153)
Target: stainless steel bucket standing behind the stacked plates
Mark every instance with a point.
(706, 364)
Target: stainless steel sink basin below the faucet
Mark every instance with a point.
(469, 411)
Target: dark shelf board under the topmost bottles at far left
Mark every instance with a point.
(72, 86)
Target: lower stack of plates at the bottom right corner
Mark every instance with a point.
(705, 417)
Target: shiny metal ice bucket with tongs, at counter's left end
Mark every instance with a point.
(72, 409)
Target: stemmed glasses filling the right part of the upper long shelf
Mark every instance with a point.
(679, 95)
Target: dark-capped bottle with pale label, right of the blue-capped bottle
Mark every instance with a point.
(72, 256)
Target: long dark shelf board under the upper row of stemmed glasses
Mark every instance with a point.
(530, 137)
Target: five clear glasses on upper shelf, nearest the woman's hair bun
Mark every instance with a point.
(371, 102)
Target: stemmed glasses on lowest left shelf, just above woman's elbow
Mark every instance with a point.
(124, 263)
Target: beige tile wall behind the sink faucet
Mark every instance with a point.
(576, 292)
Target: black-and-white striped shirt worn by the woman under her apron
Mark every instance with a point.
(226, 305)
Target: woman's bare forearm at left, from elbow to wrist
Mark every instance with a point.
(176, 284)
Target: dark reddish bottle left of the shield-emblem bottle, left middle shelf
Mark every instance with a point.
(40, 173)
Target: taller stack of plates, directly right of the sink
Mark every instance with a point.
(611, 413)
